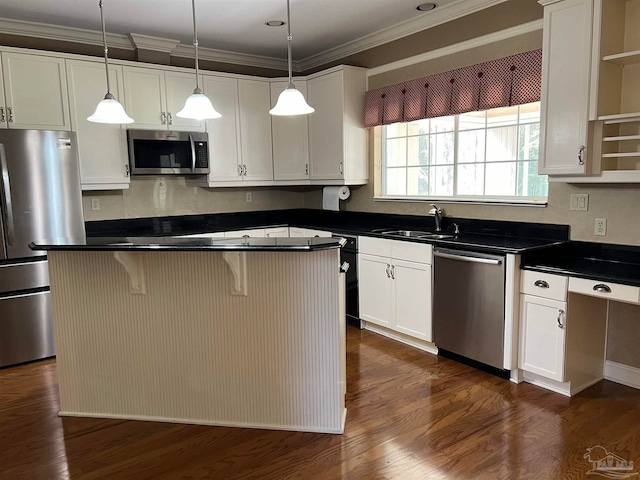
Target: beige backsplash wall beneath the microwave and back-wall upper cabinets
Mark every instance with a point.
(162, 196)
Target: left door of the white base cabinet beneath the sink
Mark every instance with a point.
(374, 285)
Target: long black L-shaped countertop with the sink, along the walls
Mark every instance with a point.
(483, 235)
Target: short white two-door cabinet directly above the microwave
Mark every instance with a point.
(152, 97)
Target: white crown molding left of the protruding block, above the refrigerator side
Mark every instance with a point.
(64, 34)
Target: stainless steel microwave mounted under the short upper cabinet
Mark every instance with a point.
(160, 152)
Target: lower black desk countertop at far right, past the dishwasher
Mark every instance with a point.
(595, 261)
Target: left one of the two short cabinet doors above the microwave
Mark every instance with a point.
(144, 97)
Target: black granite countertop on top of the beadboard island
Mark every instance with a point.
(190, 244)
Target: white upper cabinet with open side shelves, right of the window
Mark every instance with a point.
(590, 101)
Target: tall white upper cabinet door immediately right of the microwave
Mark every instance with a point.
(224, 138)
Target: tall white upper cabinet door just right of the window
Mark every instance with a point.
(565, 87)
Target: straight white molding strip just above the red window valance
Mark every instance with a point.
(459, 47)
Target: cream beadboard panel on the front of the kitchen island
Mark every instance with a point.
(189, 351)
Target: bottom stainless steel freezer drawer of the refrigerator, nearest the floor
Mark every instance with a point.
(26, 330)
